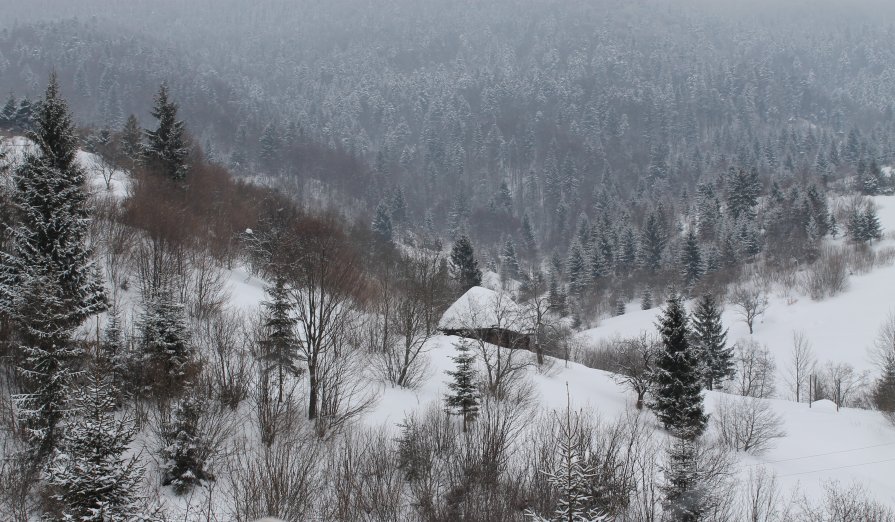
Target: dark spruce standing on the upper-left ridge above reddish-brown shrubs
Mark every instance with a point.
(166, 146)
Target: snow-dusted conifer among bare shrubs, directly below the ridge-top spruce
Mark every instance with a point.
(165, 339)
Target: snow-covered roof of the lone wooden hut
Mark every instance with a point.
(483, 308)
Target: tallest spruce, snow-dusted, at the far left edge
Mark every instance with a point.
(48, 282)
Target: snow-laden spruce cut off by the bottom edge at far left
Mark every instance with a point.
(90, 477)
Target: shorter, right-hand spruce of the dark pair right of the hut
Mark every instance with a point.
(710, 342)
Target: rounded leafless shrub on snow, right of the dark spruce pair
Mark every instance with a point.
(746, 424)
